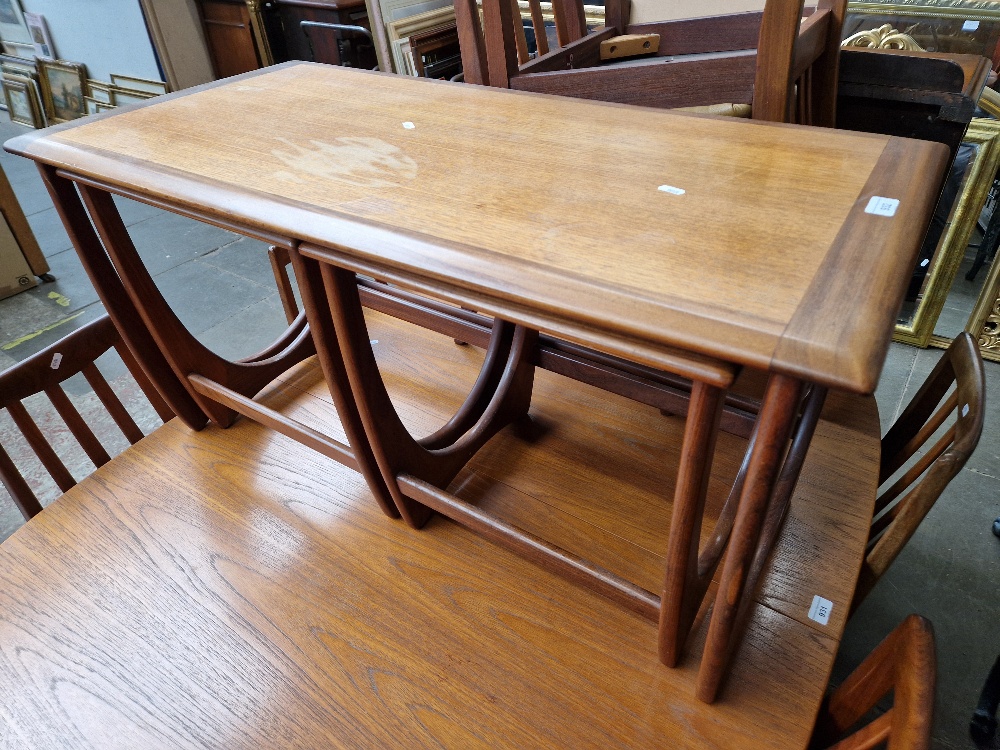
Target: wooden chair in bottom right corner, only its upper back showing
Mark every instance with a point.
(903, 663)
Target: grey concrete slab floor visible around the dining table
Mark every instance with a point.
(217, 281)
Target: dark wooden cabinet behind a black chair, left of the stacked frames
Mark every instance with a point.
(324, 45)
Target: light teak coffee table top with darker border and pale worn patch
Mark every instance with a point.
(627, 229)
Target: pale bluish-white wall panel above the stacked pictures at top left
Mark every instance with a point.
(108, 36)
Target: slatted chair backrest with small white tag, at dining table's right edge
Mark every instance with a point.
(949, 410)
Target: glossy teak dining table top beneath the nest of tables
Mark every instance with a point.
(231, 588)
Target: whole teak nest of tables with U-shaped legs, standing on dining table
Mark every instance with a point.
(797, 279)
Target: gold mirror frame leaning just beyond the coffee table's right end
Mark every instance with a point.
(962, 221)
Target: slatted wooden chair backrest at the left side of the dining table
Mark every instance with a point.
(45, 372)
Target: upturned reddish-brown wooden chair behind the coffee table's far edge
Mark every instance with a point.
(786, 69)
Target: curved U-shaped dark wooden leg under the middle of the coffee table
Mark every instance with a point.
(501, 394)
